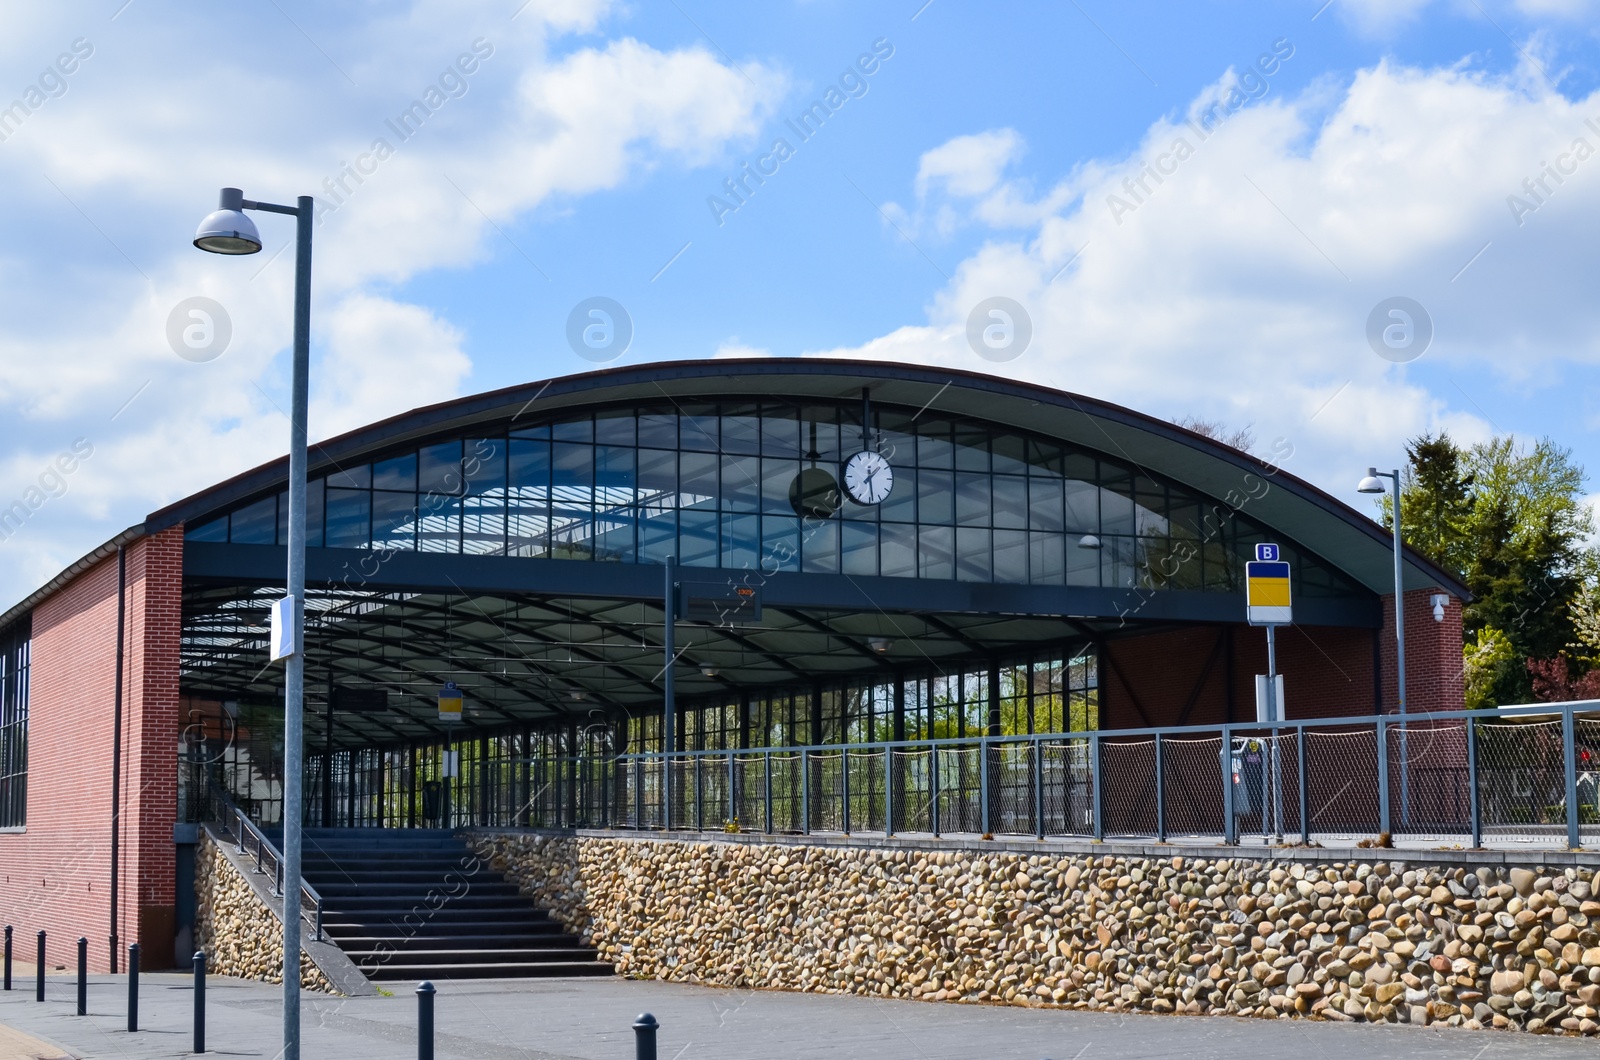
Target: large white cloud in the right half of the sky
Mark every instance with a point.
(1238, 284)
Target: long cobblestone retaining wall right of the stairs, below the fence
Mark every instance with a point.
(1340, 939)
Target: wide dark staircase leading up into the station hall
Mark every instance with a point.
(418, 904)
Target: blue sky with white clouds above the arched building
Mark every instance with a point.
(1340, 225)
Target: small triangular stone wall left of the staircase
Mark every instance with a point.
(236, 930)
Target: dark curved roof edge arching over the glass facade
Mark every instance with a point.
(1273, 497)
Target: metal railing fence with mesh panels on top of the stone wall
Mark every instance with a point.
(1473, 777)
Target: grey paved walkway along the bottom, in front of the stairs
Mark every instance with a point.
(591, 1019)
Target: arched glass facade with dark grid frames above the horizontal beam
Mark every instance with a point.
(758, 486)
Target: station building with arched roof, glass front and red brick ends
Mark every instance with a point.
(836, 553)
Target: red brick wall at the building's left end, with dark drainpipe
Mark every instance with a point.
(58, 870)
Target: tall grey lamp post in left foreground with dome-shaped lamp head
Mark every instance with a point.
(228, 231)
